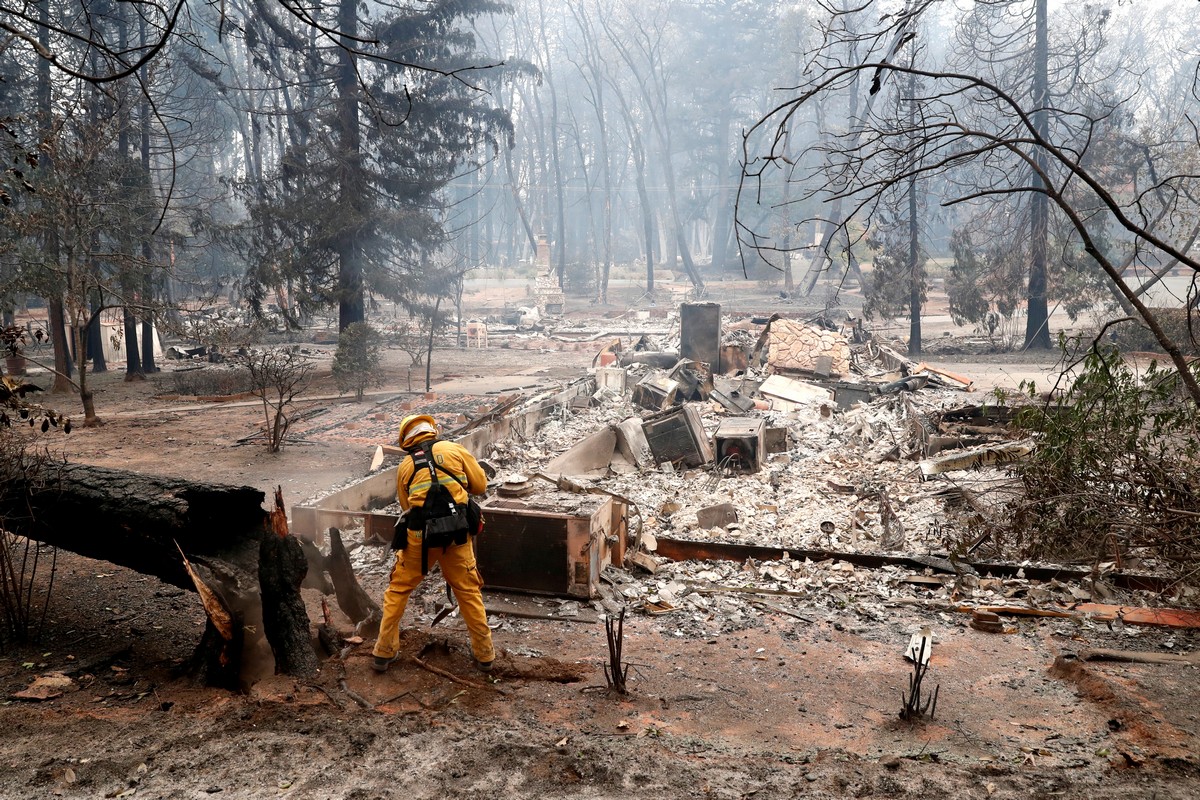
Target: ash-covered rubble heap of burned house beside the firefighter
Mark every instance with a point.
(802, 470)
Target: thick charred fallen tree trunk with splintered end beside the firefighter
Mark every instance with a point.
(147, 522)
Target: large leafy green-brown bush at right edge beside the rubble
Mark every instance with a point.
(1117, 472)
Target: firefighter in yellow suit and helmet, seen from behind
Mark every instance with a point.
(459, 472)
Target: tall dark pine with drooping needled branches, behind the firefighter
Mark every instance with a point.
(357, 204)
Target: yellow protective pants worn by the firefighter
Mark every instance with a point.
(460, 572)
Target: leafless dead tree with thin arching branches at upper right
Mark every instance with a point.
(980, 141)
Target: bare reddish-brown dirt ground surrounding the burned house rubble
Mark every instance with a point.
(787, 708)
